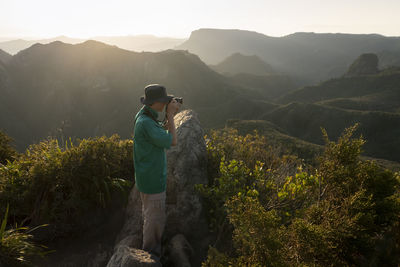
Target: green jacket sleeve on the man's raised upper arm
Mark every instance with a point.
(156, 134)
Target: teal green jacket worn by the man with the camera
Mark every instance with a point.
(149, 158)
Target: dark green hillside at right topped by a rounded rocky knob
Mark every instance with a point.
(364, 95)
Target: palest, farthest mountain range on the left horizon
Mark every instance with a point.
(135, 43)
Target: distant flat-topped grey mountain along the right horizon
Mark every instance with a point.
(313, 57)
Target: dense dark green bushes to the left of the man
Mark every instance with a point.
(50, 185)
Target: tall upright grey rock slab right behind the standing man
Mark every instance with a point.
(187, 166)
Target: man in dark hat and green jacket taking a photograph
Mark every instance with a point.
(149, 157)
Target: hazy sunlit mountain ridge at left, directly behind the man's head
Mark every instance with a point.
(91, 88)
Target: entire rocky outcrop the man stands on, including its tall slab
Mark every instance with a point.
(186, 228)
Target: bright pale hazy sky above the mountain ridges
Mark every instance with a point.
(178, 18)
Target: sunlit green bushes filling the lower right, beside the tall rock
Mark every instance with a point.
(271, 210)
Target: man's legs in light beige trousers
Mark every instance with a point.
(153, 208)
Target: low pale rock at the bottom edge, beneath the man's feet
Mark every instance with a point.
(131, 257)
